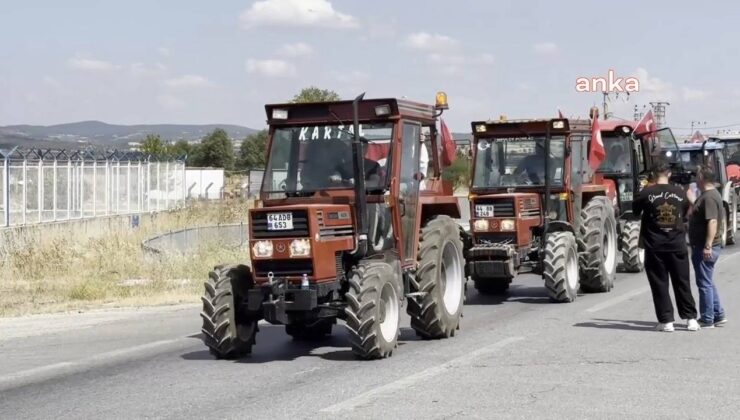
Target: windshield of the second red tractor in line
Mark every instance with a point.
(510, 162)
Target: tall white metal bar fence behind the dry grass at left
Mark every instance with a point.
(40, 186)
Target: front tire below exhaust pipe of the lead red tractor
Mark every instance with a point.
(373, 309)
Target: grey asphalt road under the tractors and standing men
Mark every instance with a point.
(514, 357)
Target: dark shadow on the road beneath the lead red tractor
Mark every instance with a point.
(273, 344)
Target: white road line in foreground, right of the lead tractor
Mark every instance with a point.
(403, 383)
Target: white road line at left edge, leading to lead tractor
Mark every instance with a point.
(47, 372)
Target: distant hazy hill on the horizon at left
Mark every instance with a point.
(98, 133)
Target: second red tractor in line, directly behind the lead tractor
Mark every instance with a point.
(536, 207)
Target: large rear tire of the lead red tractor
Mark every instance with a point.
(440, 279)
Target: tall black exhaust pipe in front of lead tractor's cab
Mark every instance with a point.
(359, 174)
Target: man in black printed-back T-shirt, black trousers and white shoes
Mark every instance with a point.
(663, 208)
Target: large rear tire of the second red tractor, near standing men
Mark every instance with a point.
(597, 245)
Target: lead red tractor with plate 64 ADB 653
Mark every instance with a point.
(350, 226)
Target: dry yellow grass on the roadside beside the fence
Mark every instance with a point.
(69, 269)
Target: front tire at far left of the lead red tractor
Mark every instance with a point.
(227, 331)
